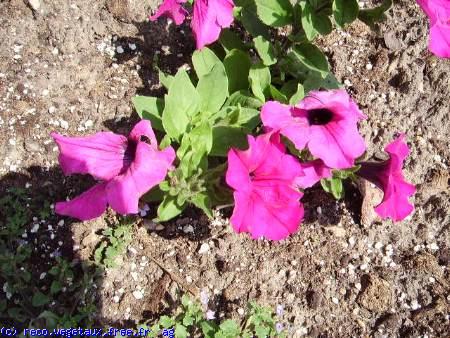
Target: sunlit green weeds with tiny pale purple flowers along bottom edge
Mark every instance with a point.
(189, 321)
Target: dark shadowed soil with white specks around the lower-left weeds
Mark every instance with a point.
(49, 236)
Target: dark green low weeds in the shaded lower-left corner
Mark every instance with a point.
(45, 295)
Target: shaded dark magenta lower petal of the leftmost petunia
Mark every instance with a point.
(90, 204)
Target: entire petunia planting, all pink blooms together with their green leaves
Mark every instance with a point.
(257, 128)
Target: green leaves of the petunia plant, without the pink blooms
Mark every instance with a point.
(207, 112)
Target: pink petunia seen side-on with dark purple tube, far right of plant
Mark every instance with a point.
(388, 177)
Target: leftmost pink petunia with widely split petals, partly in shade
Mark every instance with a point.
(127, 168)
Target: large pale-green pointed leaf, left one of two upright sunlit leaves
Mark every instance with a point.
(182, 102)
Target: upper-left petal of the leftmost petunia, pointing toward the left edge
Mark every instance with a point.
(101, 155)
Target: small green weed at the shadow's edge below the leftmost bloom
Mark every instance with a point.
(114, 245)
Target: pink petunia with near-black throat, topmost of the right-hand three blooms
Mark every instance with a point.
(324, 121)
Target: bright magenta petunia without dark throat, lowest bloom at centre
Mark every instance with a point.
(266, 200)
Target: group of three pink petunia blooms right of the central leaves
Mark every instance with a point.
(266, 180)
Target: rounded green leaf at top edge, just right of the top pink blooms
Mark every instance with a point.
(275, 13)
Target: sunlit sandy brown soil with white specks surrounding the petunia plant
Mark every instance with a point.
(73, 66)
